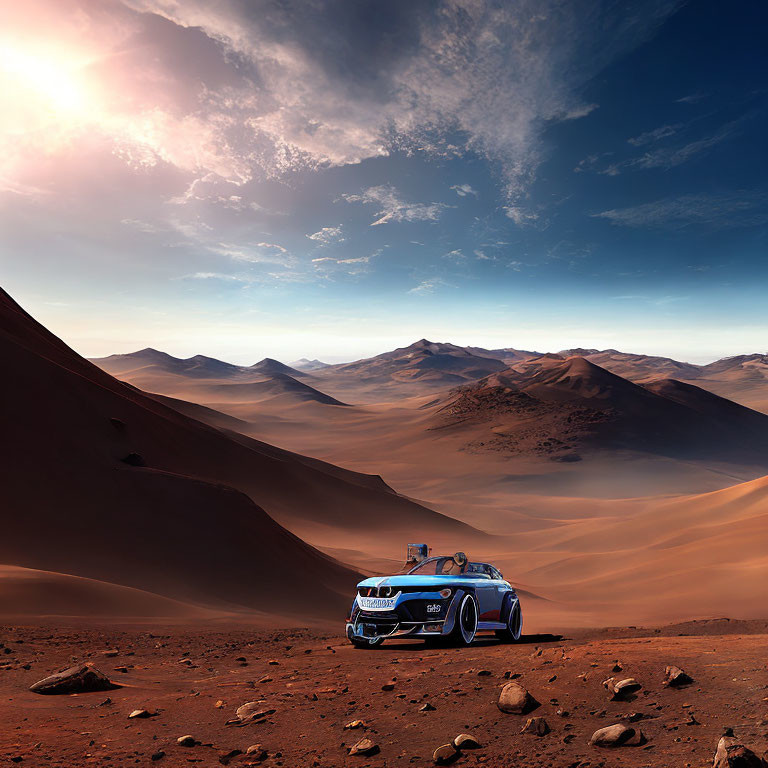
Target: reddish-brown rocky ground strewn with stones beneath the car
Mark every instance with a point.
(409, 700)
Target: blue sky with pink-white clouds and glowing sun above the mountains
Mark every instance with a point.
(338, 178)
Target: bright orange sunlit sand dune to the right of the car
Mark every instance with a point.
(695, 556)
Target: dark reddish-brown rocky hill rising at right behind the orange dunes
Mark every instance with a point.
(566, 408)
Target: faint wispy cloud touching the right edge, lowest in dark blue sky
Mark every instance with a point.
(675, 213)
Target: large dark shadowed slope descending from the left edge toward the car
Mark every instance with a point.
(107, 483)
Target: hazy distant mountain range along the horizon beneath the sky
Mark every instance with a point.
(425, 367)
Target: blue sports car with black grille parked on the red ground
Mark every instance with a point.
(448, 598)
